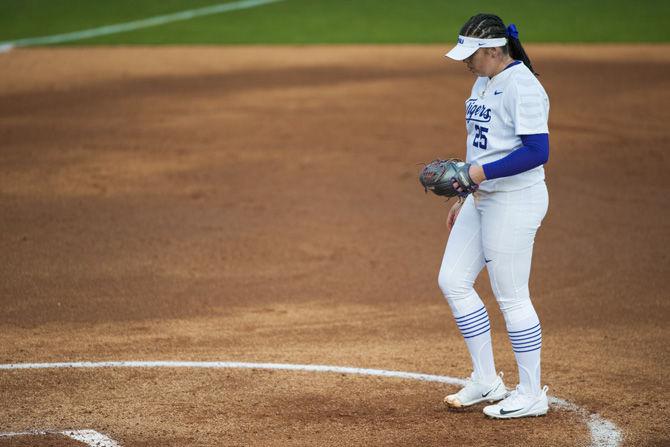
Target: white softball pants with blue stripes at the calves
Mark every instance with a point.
(496, 230)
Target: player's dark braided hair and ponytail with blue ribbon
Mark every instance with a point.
(490, 26)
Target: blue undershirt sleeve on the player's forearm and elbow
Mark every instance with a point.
(533, 153)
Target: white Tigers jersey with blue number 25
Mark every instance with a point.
(499, 109)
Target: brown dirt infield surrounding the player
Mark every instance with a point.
(260, 204)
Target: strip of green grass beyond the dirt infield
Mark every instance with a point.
(341, 21)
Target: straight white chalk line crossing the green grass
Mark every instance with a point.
(134, 25)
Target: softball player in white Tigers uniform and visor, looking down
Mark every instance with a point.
(506, 118)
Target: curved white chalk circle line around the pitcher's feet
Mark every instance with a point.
(604, 433)
